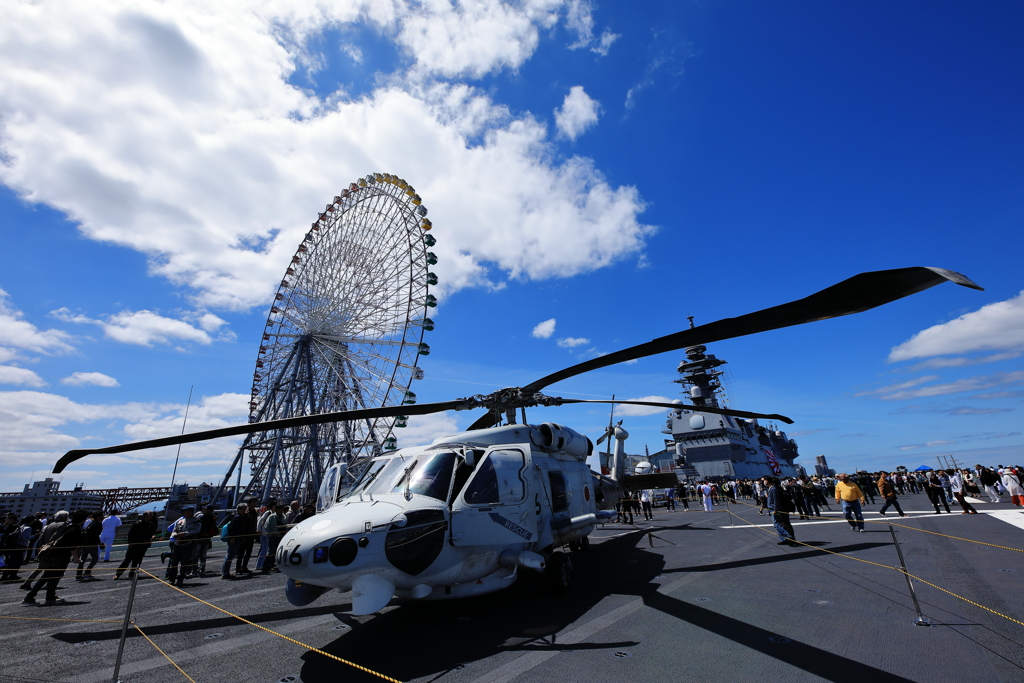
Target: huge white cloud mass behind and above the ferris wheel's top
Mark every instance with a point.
(205, 167)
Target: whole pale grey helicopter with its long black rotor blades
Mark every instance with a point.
(465, 515)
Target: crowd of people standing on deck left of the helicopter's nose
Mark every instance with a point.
(81, 537)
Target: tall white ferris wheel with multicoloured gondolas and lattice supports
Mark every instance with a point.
(346, 332)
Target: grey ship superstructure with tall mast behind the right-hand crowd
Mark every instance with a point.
(721, 446)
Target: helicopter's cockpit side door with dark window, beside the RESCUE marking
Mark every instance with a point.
(495, 508)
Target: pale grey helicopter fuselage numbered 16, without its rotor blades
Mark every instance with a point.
(455, 519)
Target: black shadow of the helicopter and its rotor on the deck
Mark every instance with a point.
(430, 639)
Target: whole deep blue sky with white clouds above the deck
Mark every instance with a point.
(611, 169)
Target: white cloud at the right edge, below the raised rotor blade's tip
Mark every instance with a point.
(996, 327)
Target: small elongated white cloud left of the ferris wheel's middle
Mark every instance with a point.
(146, 328)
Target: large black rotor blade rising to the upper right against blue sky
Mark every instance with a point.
(856, 295)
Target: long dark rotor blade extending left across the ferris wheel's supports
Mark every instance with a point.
(301, 421)
